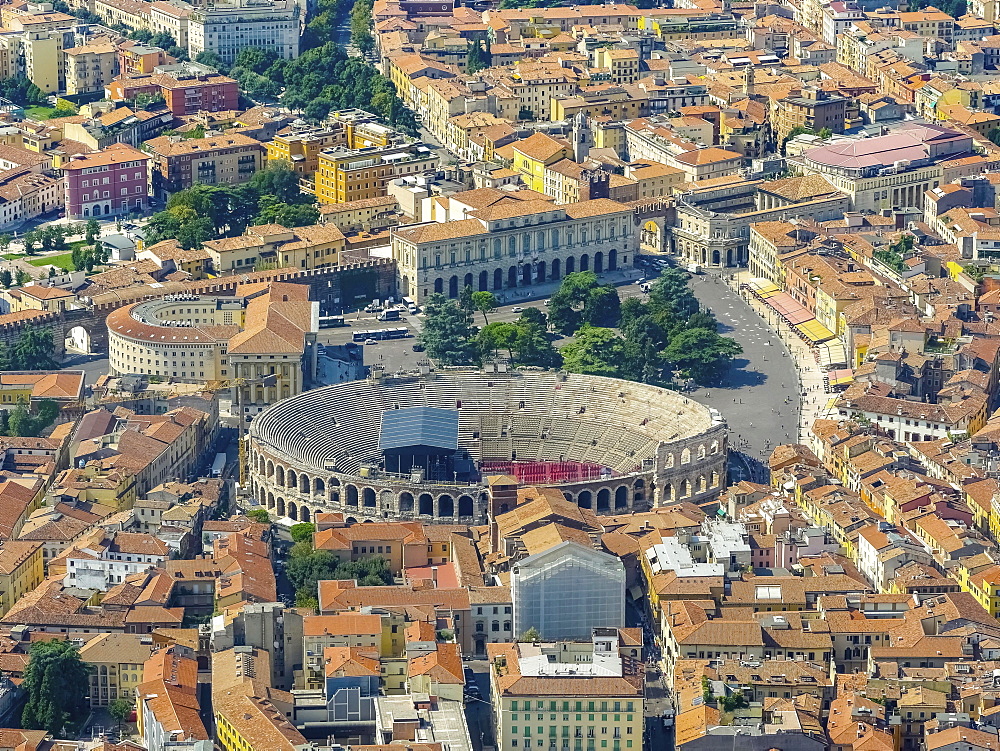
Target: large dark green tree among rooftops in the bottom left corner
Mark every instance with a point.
(55, 683)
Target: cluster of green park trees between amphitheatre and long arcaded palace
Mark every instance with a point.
(659, 341)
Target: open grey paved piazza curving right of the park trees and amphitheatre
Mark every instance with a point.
(759, 395)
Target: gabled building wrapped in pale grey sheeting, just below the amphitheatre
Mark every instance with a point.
(567, 591)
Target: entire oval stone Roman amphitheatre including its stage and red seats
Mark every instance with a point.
(423, 446)
